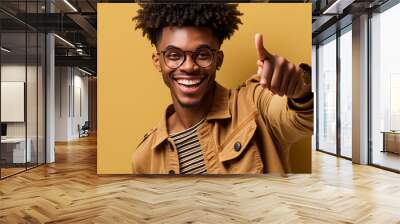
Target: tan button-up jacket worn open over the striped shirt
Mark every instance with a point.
(247, 130)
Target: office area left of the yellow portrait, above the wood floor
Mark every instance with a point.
(48, 80)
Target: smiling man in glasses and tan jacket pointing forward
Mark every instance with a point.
(209, 129)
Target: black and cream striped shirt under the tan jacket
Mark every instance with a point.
(191, 159)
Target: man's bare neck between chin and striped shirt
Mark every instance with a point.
(184, 118)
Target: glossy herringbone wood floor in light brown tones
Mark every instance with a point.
(69, 191)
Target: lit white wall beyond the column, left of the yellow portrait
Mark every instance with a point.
(71, 93)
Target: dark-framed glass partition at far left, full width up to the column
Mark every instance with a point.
(22, 77)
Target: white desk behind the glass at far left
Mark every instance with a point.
(16, 148)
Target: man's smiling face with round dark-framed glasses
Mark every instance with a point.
(189, 83)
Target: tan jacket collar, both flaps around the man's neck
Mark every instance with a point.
(218, 110)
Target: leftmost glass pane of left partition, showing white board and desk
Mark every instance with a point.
(14, 153)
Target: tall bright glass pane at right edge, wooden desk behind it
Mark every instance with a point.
(385, 89)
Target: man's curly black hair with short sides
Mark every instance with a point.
(223, 19)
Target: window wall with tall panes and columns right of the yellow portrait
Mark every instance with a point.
(357, 84)
